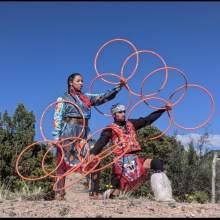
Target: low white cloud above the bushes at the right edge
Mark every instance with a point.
(213, 140)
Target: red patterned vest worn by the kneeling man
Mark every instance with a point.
(119, 134)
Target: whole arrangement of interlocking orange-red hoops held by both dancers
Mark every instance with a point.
(88, 165)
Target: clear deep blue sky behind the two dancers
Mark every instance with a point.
(41, 43)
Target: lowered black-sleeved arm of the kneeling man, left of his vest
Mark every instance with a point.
(102, 141)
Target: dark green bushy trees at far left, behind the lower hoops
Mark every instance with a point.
(16, 133)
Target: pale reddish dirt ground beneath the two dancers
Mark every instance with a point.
(77, 204)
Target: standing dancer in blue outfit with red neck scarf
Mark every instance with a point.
(68, 122)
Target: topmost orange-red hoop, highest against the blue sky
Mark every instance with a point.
(103, 46)
